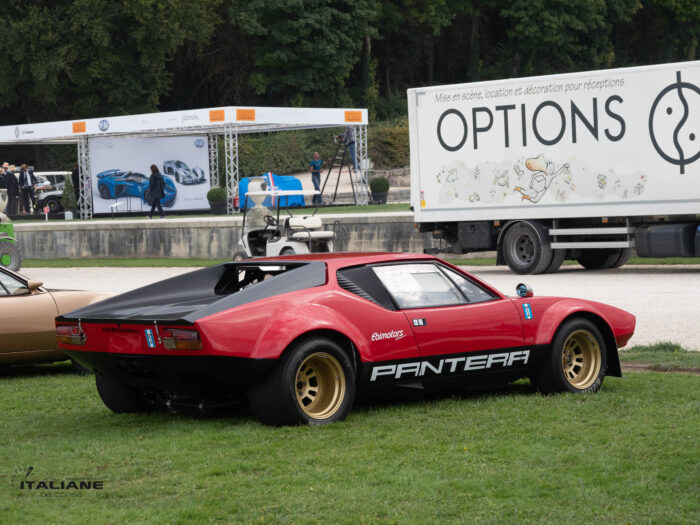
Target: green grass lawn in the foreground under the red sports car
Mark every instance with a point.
(628, 454)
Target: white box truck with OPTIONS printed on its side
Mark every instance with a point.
(587, 166)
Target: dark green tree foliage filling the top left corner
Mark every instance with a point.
(85, 58)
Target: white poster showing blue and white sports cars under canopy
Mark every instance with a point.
(120, 169)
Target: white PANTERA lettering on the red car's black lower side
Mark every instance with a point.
(447, 366)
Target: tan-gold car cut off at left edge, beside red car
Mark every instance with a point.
(27, 313)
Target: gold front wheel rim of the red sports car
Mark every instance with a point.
(581, 359)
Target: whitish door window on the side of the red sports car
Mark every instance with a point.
(418, 285)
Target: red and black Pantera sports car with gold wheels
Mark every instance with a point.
(300, 335)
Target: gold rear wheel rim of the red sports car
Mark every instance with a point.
(320, 385)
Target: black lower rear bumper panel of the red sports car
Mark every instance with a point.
(177, 373)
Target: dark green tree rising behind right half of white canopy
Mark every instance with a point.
(303, 48)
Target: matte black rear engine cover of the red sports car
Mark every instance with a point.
(192, 296)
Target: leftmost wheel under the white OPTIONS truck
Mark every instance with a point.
(524, 250)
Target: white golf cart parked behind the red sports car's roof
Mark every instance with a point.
(268, 233)
